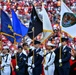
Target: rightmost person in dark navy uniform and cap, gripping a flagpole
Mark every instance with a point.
(64, 67)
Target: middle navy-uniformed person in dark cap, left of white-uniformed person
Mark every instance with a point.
(37, 59)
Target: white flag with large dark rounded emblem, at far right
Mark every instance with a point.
(68, 20)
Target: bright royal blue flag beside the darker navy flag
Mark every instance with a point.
(18, 28)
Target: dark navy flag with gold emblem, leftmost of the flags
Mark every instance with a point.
(6, 26)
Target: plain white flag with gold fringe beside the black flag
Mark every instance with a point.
(47, 27)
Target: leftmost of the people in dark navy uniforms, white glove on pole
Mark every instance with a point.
(21, 62)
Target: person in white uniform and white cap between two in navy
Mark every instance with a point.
(49, 65)
